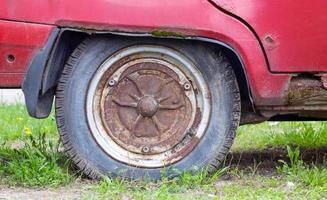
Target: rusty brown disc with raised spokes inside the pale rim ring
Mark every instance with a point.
(147, 106)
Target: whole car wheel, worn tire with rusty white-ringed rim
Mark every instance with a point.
(135, 107)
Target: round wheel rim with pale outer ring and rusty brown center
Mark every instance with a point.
(148, 106)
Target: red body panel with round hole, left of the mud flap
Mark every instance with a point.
(21, 41)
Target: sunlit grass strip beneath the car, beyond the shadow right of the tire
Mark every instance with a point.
(281, 134)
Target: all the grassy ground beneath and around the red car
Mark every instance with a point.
(267, 161)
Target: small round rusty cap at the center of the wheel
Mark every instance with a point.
(147, 106)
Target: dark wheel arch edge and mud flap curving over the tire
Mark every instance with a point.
(40, 96)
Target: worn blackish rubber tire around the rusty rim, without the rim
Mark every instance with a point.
(84, 150)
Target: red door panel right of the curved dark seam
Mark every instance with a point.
(297, 28)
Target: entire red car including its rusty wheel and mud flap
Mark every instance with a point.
(142, 86)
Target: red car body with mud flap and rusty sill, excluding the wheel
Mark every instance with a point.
(276, 47)
